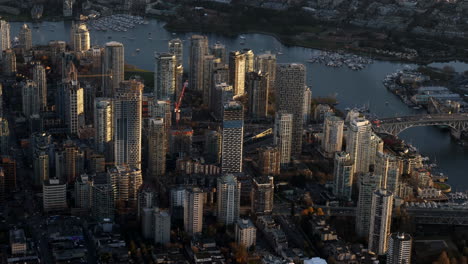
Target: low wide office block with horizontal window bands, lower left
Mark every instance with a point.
(54, 195)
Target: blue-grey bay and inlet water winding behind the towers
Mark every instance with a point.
(352, 88)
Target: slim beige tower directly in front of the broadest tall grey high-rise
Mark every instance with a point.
(282, 136)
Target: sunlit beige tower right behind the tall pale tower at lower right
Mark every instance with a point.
(387, 166)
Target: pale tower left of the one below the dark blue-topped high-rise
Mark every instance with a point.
(193, 211)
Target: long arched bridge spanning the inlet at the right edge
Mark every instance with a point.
(395, 125)
